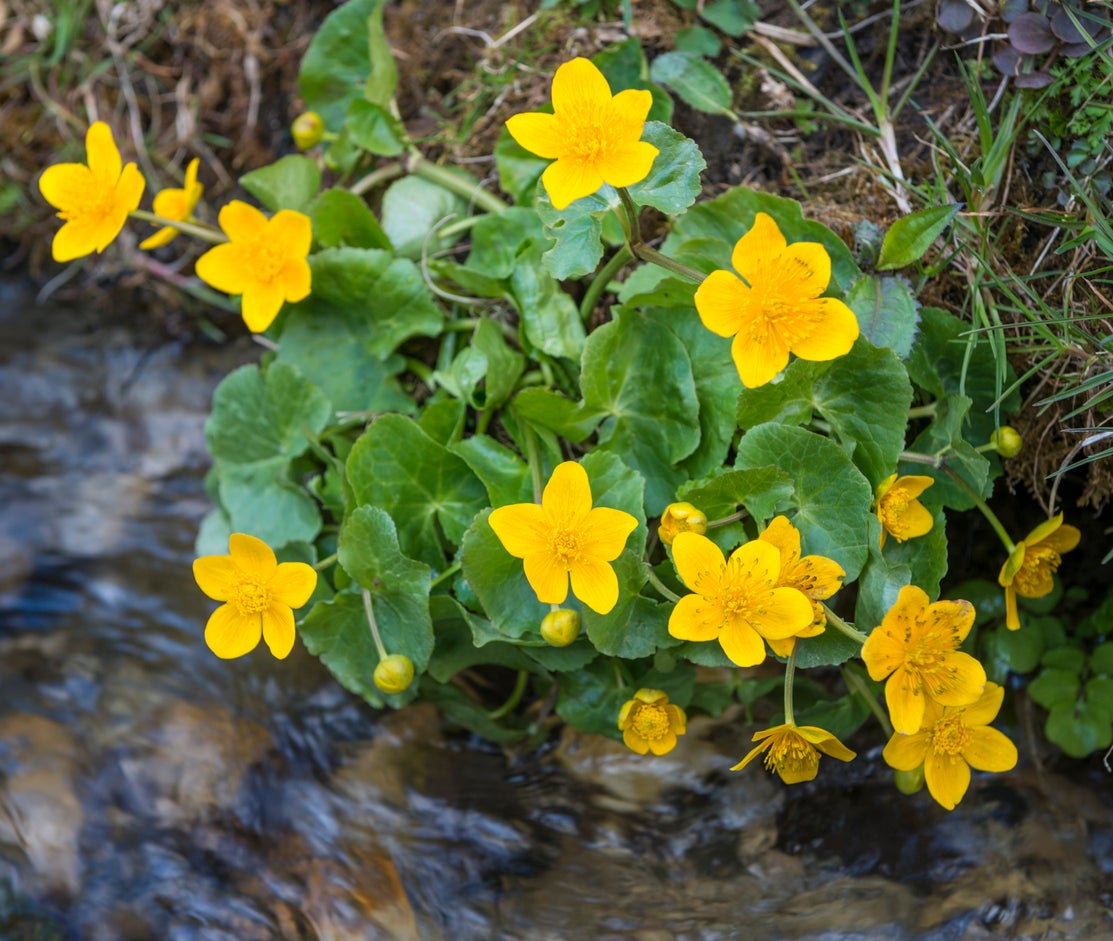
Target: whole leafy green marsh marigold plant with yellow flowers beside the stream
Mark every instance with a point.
(623, 474)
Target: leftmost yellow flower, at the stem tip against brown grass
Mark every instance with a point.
(94, 200)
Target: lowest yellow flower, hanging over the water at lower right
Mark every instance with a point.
(954, 740)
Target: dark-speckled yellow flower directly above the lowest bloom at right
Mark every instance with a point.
(917, 646)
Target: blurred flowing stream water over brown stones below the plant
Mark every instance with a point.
(151, 791)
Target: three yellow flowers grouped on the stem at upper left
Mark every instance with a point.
(265, 261)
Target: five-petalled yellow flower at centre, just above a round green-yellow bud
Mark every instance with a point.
(565, 537)
